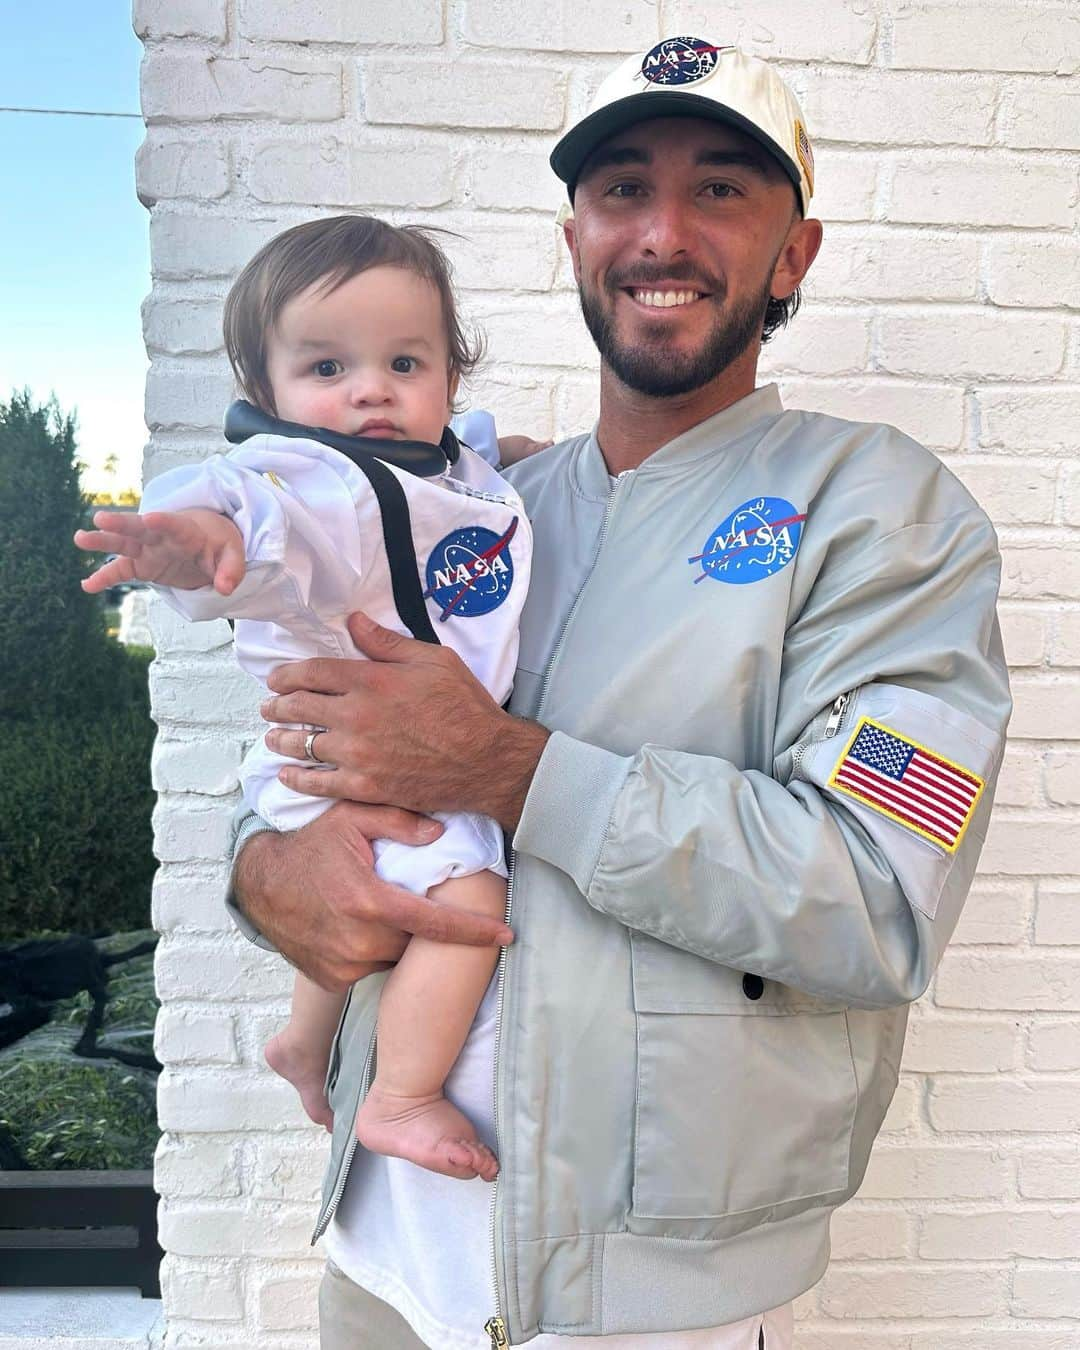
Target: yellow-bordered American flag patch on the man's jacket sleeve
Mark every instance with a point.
(909, 784)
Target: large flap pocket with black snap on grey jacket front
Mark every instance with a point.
(746, 1090)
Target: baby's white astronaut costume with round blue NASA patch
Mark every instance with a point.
(317, 541)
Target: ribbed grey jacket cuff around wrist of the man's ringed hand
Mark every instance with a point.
(570, 804)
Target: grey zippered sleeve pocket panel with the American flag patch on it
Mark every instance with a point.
(913, 770)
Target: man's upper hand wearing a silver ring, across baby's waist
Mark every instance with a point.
(411, 727)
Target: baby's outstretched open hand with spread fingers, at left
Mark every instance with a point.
(183, 549)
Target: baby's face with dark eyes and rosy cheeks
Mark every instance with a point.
(367, 360)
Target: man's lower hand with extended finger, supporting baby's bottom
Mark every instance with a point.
(317, 897)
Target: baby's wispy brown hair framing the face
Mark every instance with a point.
(330, 252)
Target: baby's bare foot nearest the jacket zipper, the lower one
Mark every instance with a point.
(430, 1132)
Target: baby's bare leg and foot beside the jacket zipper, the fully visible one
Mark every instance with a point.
(426, 1010)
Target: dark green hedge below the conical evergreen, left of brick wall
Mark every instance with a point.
(76, 803)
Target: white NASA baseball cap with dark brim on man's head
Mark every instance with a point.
(691, 78)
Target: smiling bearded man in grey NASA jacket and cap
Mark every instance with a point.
(757, 724)
